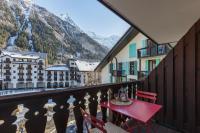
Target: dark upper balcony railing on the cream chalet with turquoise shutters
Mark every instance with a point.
(157, 50)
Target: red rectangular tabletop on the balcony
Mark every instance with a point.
(138, 110)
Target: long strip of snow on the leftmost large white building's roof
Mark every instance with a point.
(20, 55)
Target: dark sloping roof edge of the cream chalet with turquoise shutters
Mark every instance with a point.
(125, 39)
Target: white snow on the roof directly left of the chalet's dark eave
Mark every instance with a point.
(86, 66)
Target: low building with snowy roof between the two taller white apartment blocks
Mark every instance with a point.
(57, 76)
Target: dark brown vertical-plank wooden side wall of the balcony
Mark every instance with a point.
(177, 82)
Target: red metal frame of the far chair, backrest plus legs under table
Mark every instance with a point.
(146, 95)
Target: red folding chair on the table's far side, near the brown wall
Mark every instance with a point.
(131, 124)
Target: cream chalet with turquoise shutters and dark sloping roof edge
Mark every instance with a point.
(132, 58)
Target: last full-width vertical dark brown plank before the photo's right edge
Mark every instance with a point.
(189, 82)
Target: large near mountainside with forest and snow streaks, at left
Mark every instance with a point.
(25, 26)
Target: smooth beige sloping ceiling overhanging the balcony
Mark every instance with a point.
(161, 20)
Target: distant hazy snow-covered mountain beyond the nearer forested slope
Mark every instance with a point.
(109, 41)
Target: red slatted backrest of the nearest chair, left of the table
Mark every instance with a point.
(93, 121)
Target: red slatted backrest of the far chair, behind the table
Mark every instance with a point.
(146, 95)
